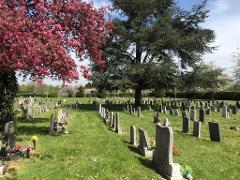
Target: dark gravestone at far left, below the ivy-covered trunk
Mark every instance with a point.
(9, 134)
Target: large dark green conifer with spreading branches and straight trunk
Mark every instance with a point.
(152, 39)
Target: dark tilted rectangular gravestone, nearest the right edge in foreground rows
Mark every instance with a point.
(214, 131)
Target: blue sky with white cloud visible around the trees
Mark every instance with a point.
(224, 19)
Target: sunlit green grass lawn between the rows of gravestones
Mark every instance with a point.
(93, 151)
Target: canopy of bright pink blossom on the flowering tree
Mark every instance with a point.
(37, 36)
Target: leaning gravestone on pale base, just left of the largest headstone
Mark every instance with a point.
(144, 146)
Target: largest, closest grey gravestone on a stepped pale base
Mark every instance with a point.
(163, 155)
